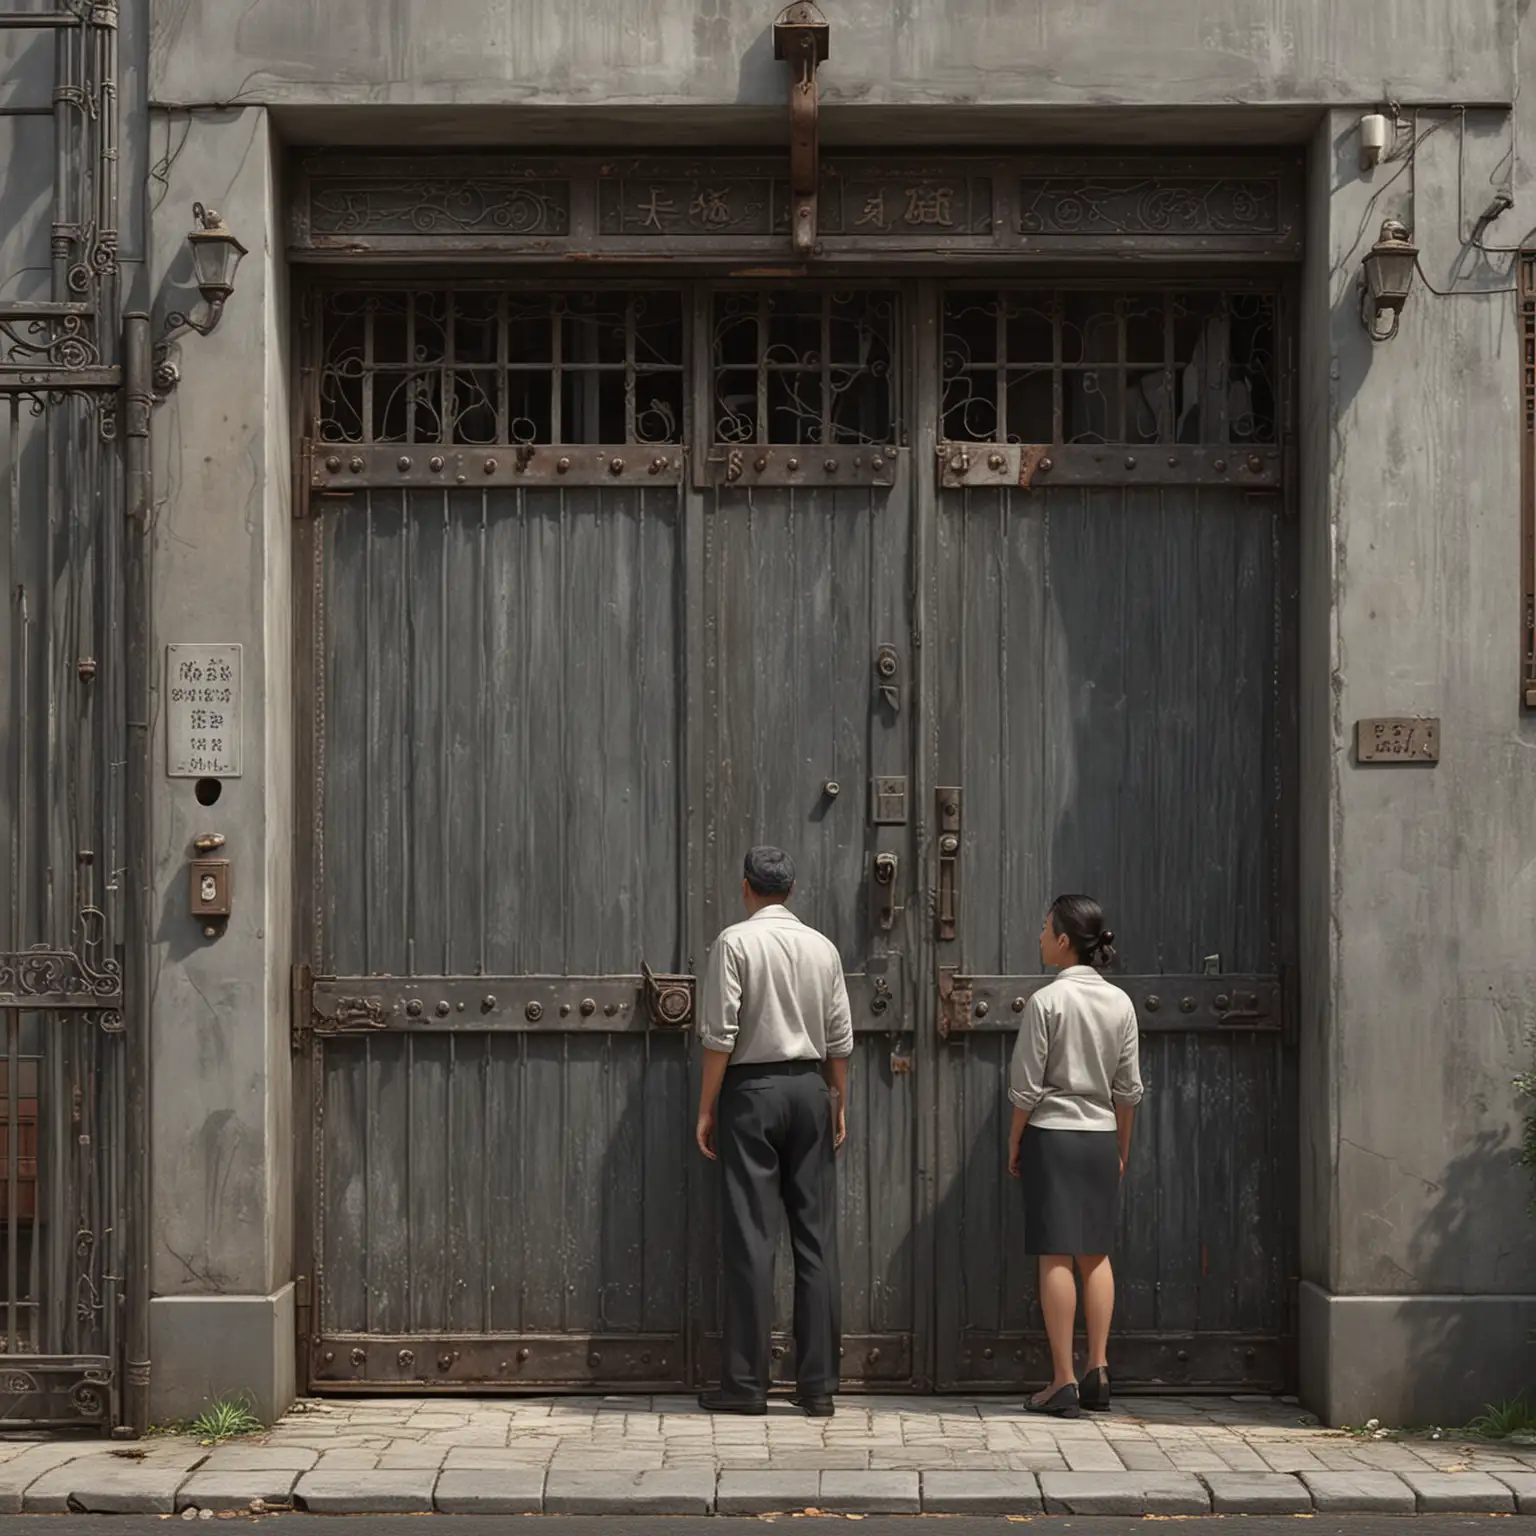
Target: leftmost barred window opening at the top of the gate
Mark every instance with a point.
(478, 368)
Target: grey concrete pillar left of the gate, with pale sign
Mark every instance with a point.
(222, 1087)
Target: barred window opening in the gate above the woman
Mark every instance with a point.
(1059, 366)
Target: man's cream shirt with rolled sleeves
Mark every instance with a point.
(775, 991)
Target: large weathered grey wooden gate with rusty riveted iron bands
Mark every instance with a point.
(965, 594)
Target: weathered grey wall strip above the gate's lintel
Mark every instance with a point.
(915, 51)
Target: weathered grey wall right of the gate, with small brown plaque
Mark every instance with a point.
(1422, 882)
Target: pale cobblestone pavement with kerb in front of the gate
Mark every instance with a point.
(666, 1457)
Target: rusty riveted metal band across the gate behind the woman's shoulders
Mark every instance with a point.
(1165, 1004)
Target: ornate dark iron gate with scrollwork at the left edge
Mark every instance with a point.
(68, 1088)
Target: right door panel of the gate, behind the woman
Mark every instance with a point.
(1111, 554)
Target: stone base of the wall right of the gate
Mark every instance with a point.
(1414, 1360)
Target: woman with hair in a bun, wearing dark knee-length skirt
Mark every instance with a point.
(1076, 1084)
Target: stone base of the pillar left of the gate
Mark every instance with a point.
(211, 1348)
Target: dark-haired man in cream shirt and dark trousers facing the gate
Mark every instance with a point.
(776, 1036)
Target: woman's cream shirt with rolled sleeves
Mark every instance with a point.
(1078, 1054)
